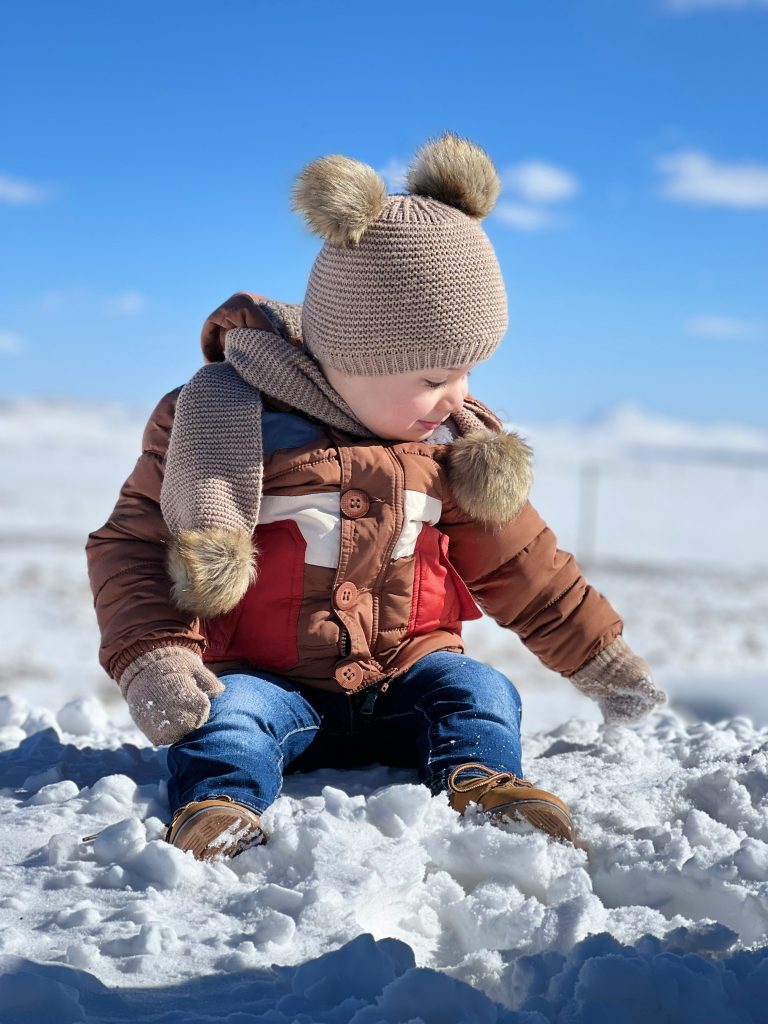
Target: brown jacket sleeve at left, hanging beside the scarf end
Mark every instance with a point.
(126, 562)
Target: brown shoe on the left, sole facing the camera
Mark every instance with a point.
(217, 828)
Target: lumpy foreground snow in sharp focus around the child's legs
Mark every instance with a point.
(376, 900)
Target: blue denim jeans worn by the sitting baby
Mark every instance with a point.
(447, 710)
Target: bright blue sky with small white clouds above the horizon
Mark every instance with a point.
(148, 152)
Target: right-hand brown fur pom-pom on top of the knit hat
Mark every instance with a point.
(457, 173)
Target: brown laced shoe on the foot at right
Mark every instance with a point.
(502, 793)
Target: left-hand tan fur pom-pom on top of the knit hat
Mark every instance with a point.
(340, 198)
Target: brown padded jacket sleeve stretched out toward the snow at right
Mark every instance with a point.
(521, 578)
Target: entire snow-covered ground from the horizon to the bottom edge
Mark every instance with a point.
(377, 903)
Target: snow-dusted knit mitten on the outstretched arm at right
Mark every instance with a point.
(621, 684)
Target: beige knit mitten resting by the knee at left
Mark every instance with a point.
(168, 692)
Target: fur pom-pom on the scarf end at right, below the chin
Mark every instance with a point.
(490, 475)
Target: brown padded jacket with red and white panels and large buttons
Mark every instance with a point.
(366, 564)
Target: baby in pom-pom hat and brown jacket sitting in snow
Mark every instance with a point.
(283, 581)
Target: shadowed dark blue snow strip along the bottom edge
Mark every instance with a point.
(377, 983)
